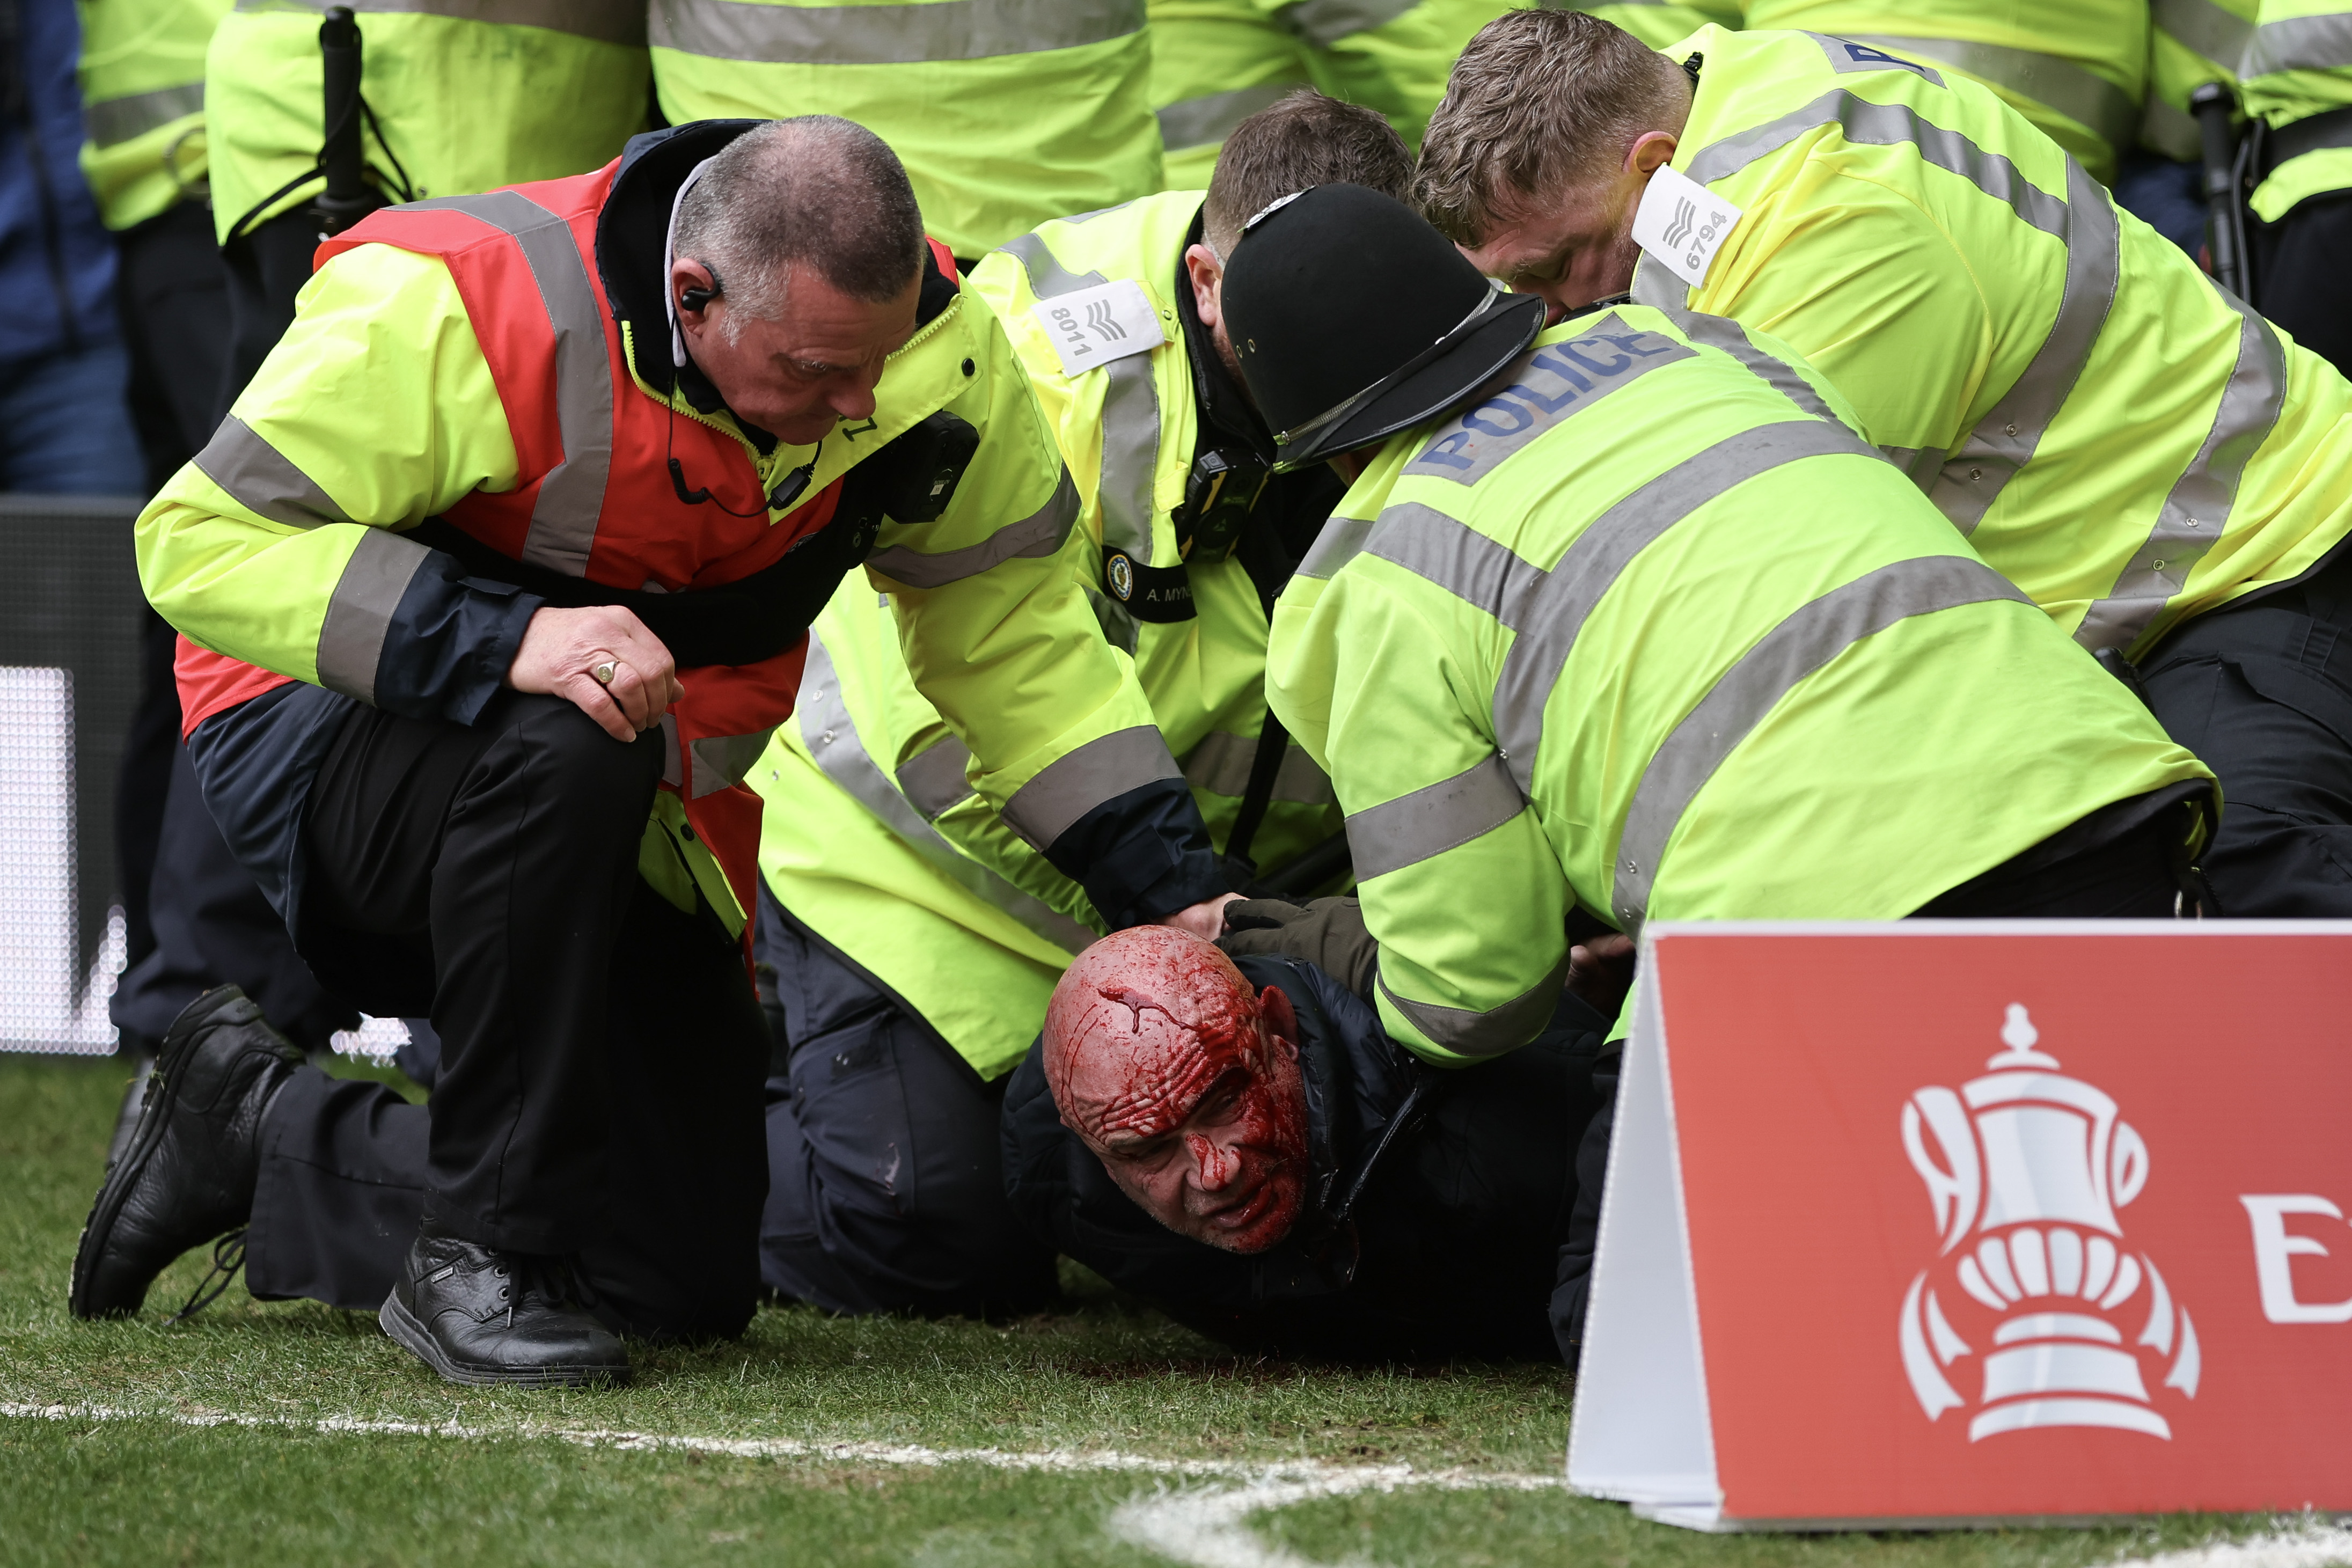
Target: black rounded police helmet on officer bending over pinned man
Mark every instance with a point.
(1354, 321)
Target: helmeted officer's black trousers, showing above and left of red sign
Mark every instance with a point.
(2130, 878)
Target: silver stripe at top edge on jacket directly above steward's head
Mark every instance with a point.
(886, 34)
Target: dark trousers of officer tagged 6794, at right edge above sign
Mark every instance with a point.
(2264, 692)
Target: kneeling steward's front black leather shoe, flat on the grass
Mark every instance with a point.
(479, 1315)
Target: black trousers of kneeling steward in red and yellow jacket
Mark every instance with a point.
(603, 1052)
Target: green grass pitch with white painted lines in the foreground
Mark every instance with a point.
(286, 1433)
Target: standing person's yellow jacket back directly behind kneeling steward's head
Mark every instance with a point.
(1005, 112)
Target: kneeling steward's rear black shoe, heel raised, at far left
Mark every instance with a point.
(194, 1158)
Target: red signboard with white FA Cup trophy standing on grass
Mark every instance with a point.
(1958, 1221)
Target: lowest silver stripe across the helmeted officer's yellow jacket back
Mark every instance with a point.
(1760, 681)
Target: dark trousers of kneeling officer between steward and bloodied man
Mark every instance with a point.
(886, 1155)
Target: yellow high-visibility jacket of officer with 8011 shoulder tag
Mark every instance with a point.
(876, 840)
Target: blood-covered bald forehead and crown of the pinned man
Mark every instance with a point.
(1142, 1028)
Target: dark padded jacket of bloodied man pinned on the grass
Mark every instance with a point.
(1436, 1207)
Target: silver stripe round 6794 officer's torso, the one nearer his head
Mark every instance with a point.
(2007, 438)
